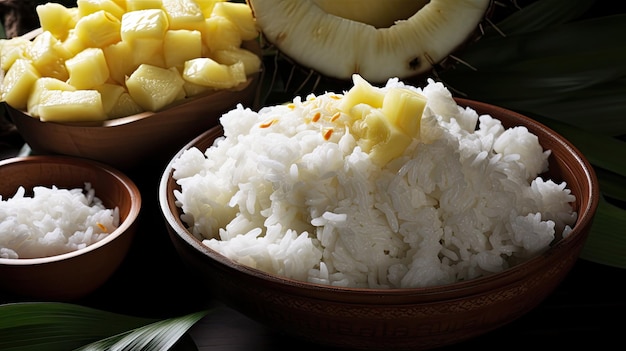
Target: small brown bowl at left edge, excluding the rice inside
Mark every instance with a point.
(75, 274)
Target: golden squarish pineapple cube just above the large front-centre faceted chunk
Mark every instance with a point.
(181, 45)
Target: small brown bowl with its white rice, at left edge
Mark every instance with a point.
(66, 225)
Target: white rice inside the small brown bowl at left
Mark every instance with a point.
(53, 221)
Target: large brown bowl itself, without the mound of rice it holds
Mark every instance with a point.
(400, 319)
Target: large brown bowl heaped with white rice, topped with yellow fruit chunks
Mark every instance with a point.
(393, 217)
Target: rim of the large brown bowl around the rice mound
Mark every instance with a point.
(585, 218)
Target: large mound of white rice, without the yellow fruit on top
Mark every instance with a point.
(463, 201)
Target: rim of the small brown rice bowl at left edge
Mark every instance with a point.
(128, 185)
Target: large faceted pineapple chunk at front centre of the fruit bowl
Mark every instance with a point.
(154, 87)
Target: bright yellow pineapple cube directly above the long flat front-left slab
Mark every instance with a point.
(87, 69)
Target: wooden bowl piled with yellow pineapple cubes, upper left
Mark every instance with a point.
(128, 86)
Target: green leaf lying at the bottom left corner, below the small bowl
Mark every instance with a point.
(54, 326)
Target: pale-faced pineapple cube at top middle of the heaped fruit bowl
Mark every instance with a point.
(149, 23)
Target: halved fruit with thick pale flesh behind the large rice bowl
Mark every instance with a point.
(376, 39)
